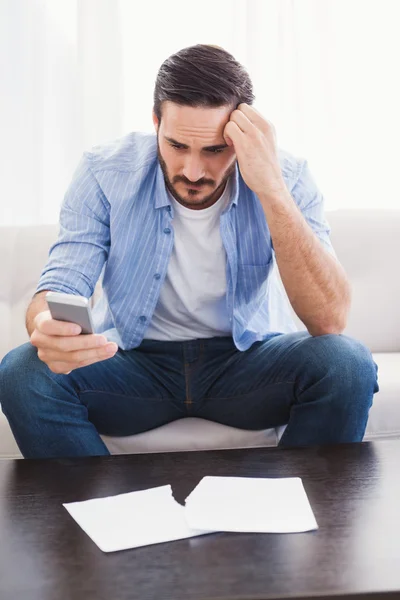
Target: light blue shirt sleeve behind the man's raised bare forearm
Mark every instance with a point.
(311, 203)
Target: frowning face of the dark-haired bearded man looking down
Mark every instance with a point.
(193, 154)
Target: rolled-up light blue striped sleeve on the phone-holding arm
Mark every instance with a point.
(77, 257)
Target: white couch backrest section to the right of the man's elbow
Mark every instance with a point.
(367, 244)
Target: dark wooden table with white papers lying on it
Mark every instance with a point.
(353, 489)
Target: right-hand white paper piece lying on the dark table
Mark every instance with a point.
(250, 504)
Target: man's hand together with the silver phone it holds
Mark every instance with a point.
(58, 341)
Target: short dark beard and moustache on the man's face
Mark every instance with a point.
(205, 202)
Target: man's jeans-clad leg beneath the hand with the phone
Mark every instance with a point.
(127, 394)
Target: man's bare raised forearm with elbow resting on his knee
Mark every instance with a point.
(314, 280)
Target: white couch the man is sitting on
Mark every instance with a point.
(367, 244)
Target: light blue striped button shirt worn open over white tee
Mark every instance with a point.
(116, 223)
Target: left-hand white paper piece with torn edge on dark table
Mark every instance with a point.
(133, 519)
